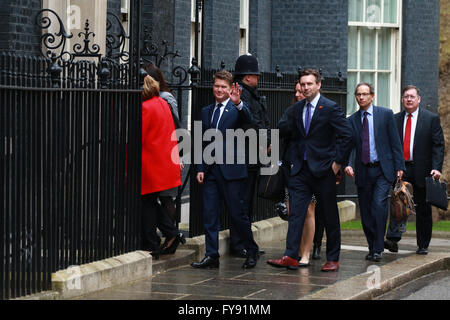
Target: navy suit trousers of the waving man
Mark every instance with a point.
(215, 190)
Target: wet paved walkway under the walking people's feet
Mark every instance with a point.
(264, 282)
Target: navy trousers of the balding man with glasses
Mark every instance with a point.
(374, 207)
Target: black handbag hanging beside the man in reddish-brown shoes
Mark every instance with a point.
(272, 186)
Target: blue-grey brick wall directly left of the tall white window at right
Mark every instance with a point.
(310, 34)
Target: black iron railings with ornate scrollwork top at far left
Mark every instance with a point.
(70, 144)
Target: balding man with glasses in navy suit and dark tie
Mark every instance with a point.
(377, 162)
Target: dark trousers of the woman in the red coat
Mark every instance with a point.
(153, 216)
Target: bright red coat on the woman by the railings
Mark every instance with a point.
(159, 171)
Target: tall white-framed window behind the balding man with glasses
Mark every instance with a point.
(374, 50)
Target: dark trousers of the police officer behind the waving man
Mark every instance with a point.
(236, 243)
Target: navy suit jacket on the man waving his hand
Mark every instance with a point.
(232, 118)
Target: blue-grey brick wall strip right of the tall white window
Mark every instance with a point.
(420, 48)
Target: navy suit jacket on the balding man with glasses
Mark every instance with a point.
(387, 144)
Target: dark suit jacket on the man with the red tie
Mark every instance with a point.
(429, 144)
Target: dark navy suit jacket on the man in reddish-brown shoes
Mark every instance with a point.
(329, 138)
